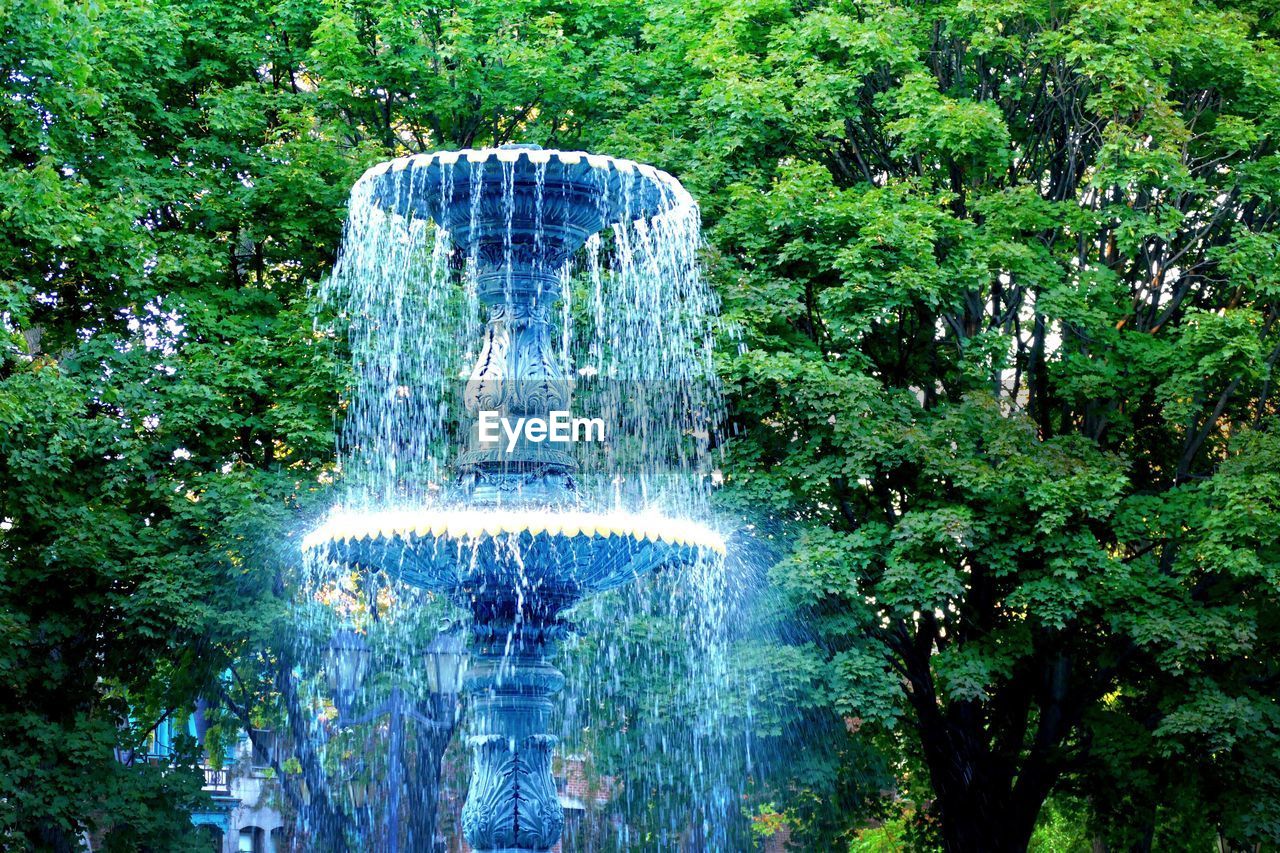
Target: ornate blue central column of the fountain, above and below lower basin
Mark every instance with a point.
(513, 804)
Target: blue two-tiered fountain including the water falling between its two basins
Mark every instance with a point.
(518, 532)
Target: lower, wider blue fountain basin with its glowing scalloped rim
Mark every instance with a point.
(560, 555)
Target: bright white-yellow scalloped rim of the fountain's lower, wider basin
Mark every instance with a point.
(469, 526)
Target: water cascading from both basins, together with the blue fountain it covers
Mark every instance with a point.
(496, 286)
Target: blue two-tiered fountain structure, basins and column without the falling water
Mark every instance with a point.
(513, 537)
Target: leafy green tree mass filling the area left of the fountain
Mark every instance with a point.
(149, 317)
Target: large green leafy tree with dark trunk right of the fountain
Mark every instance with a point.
(1007, 276)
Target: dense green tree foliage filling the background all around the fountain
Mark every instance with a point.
(1008, 277)
